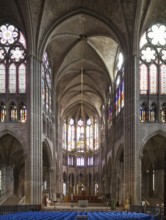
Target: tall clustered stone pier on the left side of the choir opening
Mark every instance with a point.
(33, 165)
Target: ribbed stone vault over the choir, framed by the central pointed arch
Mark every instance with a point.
(82, 45)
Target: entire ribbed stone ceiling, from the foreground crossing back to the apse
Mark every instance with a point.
(81, 35)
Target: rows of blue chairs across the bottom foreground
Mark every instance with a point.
(69, 215)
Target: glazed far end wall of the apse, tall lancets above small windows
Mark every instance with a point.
(80, 139)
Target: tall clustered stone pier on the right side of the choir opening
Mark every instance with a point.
(132, 162)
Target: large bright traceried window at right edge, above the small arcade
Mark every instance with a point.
(152, 56)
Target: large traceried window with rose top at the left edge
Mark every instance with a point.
(12, 53)
